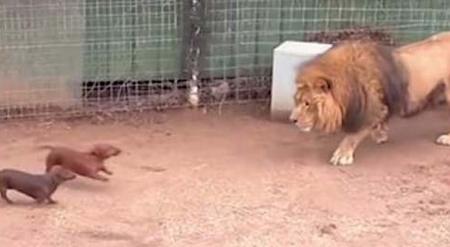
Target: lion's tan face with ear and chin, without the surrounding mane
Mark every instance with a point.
(315, 106)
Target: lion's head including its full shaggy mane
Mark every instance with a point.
(344, 88)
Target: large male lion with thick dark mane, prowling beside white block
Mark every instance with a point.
(357, 85)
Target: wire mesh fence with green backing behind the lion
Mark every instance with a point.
(77, 57)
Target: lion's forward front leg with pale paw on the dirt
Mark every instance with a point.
(344, 154)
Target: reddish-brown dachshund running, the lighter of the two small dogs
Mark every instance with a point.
(87, 164)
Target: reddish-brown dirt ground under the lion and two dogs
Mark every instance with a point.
(188, 178)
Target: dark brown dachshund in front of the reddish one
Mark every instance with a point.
(40, 187)
